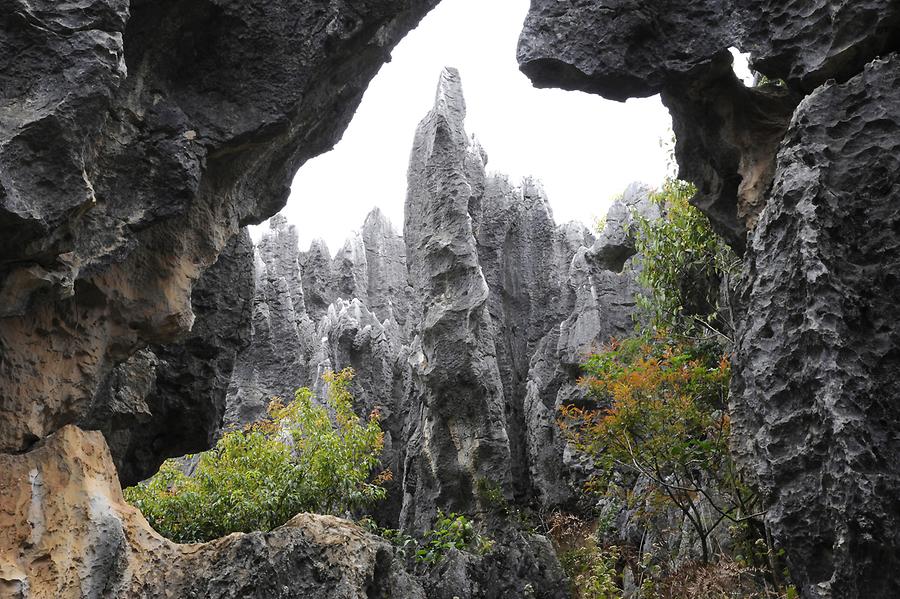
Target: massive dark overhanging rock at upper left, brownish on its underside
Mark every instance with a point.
(135, 138)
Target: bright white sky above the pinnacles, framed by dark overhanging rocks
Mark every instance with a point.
(585, 149)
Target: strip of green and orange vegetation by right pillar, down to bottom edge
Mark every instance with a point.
(656, 427)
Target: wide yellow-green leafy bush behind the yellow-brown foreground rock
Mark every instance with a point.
(301, 459)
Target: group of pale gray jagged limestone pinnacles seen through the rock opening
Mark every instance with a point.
(466, 334)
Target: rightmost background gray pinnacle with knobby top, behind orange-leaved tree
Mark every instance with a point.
(602, 285)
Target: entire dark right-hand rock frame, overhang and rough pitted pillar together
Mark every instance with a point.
(813, 163)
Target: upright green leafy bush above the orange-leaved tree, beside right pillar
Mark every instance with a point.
(684, 264)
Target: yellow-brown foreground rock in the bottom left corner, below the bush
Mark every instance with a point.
(66, 532)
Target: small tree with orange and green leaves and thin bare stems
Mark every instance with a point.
(664, 419)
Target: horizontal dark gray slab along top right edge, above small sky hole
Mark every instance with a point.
(633, 48)
